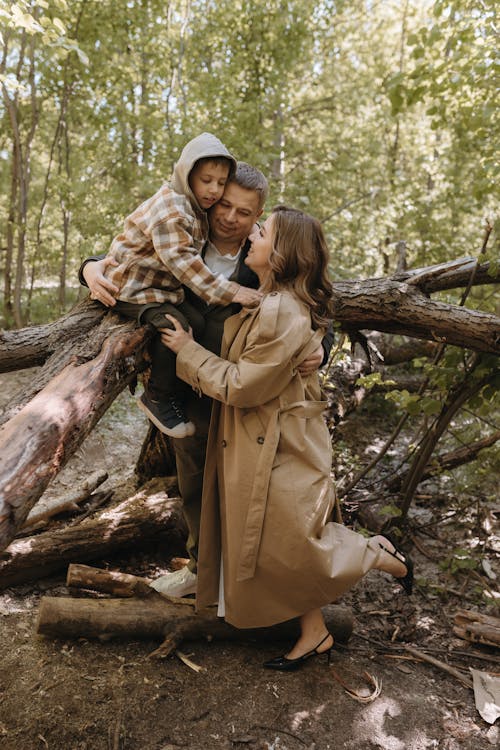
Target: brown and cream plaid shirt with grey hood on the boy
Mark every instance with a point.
(159, 248)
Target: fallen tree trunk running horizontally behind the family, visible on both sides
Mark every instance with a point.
(33, 345)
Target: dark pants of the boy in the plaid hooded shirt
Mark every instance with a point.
(163, 382)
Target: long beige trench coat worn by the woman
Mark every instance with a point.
(268, 495)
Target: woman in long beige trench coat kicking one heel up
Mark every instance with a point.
(267, 550)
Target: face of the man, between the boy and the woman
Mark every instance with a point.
(233, 217)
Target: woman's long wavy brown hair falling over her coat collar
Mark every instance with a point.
(299, 262)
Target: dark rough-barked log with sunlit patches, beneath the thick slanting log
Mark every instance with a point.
(149, 514)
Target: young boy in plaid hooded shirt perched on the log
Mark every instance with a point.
(157, 253)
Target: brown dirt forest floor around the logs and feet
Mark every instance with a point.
(91, 695)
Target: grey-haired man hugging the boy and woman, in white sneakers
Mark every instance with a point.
(231, 220)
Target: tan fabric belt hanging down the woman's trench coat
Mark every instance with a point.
(258, 499)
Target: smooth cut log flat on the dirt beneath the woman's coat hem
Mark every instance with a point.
(153, 618)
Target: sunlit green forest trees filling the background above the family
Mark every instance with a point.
(376, 117)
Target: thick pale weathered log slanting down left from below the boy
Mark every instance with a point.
(36, 443)
